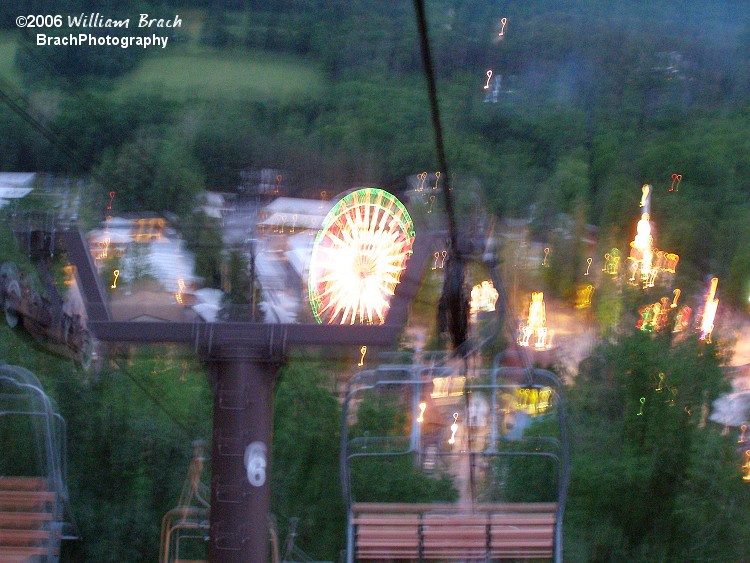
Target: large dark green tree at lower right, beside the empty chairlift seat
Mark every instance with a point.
(638, 438)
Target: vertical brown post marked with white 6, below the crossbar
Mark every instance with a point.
(243, 380)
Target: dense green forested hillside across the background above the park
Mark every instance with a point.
(595, 100)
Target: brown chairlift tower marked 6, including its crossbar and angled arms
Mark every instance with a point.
(244, 359)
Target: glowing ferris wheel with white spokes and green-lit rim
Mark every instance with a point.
(358, 257)
